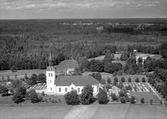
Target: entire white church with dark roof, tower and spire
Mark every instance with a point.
(60, 85)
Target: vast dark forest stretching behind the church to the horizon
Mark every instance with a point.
(25, 44)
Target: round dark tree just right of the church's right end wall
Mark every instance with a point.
(102, 97)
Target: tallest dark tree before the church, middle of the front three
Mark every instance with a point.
(86, 97)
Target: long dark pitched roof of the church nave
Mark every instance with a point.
(76, 80)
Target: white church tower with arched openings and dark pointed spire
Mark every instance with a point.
(50, 76)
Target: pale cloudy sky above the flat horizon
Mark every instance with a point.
(58, 9)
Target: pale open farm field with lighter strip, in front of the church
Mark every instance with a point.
(95, 111)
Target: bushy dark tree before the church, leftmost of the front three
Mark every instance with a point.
(72, 98)
